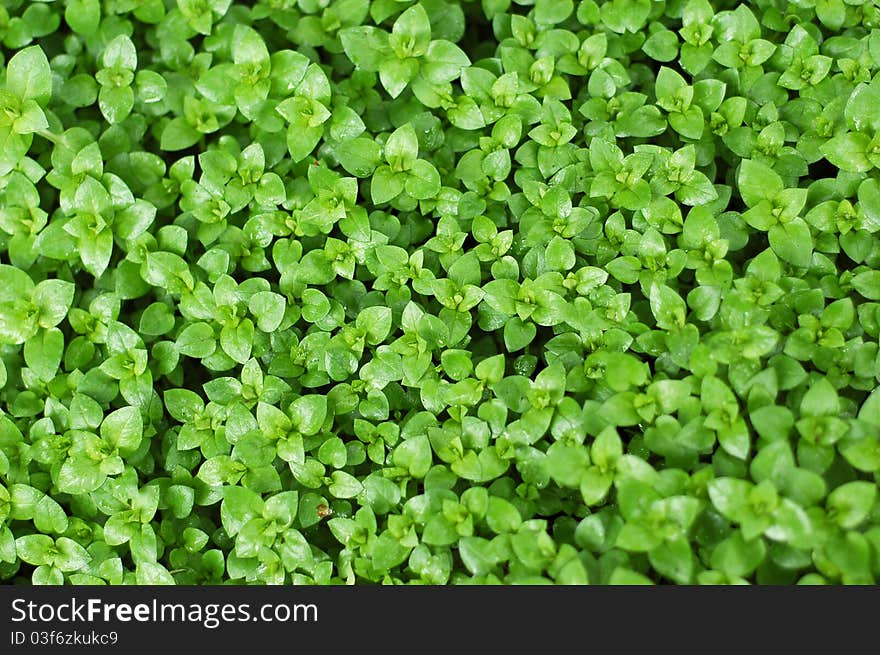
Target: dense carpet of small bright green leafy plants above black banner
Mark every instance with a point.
(350, 291)
